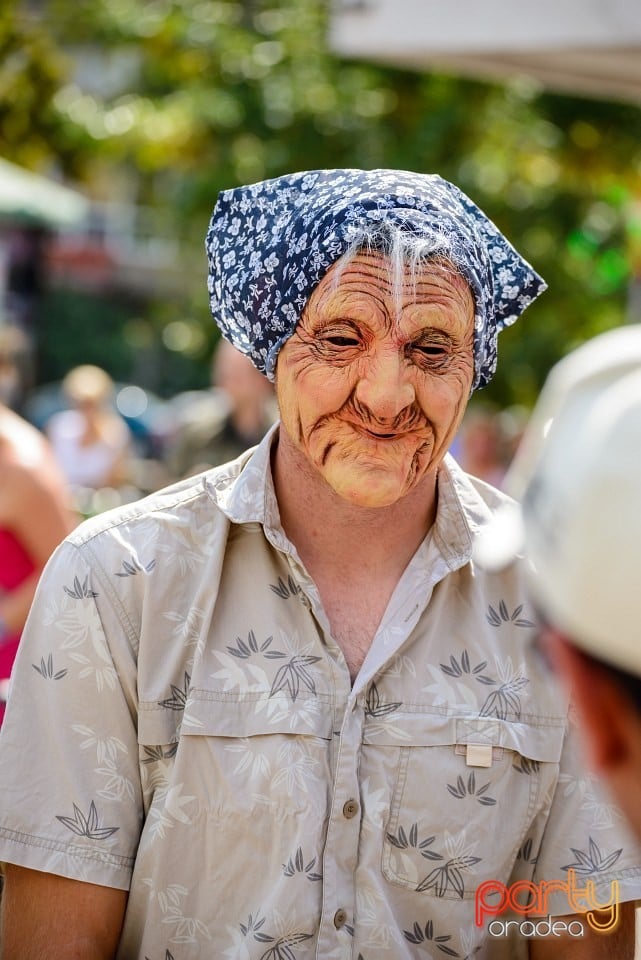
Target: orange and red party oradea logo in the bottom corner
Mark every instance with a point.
(526, 903)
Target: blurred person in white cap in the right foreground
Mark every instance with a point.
(578, 472)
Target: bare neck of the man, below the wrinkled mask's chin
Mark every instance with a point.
(329, 530)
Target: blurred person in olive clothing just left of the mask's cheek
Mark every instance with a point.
(233, 416)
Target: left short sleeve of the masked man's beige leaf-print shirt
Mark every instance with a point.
(71, 799)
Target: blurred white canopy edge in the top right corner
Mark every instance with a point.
(589, 47)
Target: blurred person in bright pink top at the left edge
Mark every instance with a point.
(35, 516)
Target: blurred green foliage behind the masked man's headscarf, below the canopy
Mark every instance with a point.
(212, 93)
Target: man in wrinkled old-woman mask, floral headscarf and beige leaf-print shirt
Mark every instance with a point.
(286, 715)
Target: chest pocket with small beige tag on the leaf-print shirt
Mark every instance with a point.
(453, 824)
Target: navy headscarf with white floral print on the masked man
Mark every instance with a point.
(269, 244)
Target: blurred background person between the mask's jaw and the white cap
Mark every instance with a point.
(480, 450)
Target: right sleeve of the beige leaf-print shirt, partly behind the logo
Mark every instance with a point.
(586, 837)
